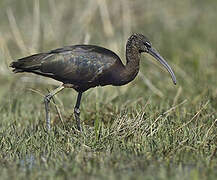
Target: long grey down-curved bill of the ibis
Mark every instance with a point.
(157, 56)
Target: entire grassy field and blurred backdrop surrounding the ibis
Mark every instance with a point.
(148, 129)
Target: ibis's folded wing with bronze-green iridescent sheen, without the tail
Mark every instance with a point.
(78, 64)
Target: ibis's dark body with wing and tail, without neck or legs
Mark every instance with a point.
(82, 66)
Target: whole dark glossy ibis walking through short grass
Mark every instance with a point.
(86, 66)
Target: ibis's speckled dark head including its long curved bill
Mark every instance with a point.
(143, 45)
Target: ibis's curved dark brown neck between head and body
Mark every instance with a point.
(132, 62)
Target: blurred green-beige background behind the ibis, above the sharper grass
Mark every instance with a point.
(184, 32)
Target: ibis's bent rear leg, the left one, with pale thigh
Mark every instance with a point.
(47, 99)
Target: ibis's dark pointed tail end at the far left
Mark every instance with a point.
(28, 64)
